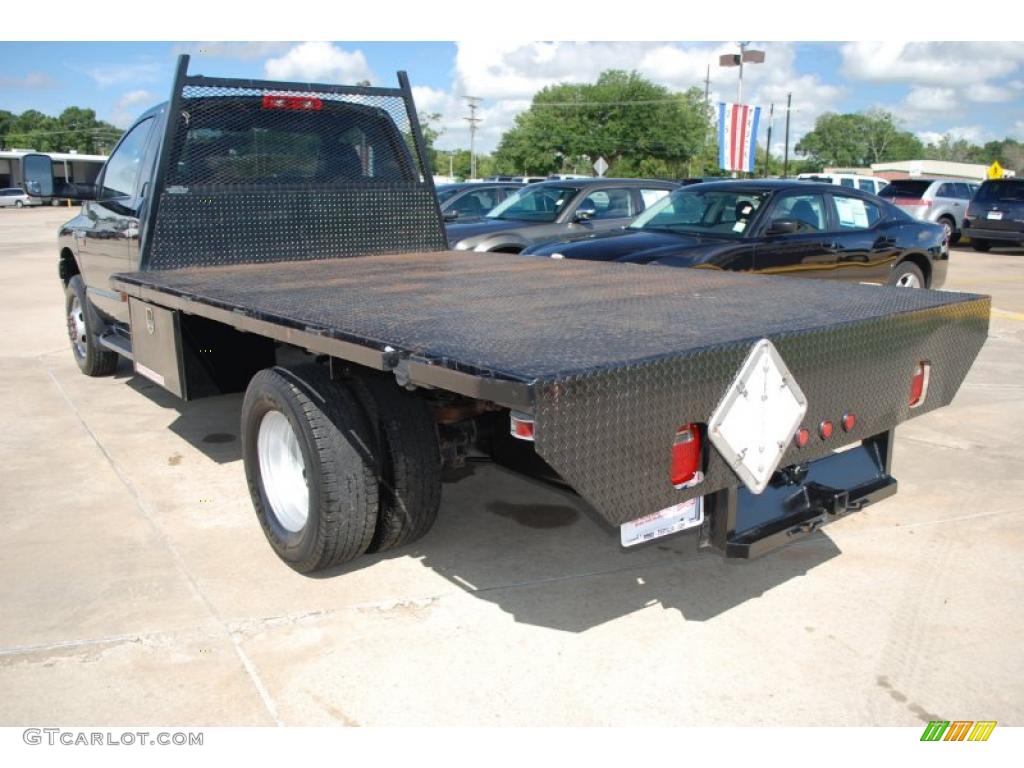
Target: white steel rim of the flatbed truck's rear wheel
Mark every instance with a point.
(283, 472)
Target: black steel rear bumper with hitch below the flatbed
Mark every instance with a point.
(800, 501)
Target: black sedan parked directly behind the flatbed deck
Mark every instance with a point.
(775, 228)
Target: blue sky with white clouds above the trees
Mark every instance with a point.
(974, 91)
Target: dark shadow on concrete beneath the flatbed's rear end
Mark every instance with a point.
(540, 556)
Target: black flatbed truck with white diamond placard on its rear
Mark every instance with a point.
(263, 236)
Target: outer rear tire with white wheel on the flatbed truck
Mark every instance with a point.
(311, 474)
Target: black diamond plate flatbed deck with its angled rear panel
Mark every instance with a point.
(619, 356)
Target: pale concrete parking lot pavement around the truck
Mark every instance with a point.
(137, 587)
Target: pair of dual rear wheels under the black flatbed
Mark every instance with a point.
(337, 470)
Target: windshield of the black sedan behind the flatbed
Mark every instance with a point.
(721, 214)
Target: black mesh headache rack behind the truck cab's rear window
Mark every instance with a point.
(271, 172)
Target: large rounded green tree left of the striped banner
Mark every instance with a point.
(641, 129)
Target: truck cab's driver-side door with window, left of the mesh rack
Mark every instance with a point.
(110, 243)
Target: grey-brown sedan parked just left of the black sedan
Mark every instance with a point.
(549, 209)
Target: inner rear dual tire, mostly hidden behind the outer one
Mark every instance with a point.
(410, 466)
